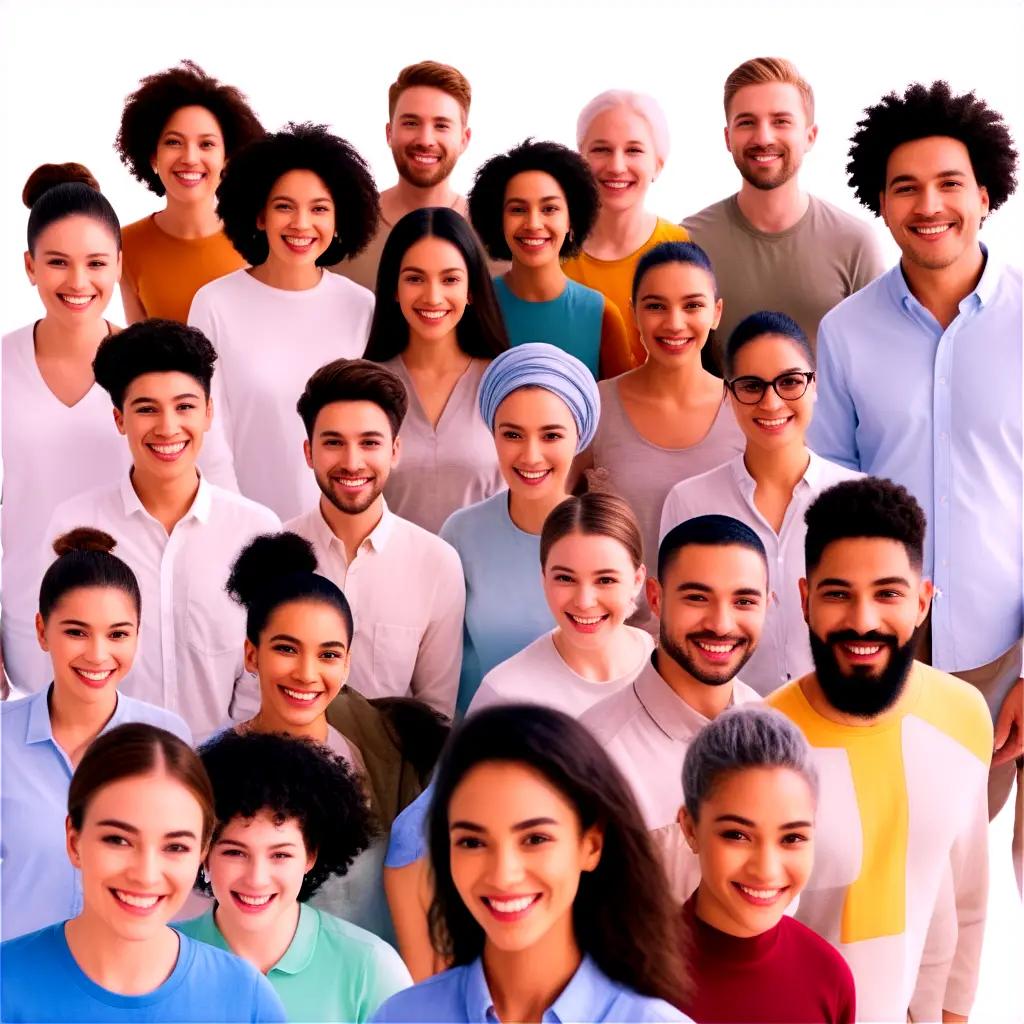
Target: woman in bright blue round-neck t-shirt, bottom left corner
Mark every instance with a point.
(140, 820)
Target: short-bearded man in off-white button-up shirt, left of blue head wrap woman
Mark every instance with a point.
(405, 585)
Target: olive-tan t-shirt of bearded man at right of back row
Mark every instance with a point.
(802, 272)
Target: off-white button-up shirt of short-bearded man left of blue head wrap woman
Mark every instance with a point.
(408, 596)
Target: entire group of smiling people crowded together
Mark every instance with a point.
(519, 637)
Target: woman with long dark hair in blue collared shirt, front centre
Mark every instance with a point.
(549, 901)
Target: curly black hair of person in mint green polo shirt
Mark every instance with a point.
(291, 778)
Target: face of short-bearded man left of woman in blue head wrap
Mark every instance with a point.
(352, 454)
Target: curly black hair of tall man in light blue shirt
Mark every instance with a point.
(923, 112)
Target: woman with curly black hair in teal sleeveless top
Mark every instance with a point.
(535, 205)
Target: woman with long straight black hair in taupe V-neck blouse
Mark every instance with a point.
(437, 326)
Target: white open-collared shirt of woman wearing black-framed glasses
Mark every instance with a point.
(784, 652)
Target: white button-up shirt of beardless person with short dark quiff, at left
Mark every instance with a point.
(192, 635)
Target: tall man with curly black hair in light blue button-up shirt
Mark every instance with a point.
(920, 381)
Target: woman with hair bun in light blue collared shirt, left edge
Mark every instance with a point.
(88, 623)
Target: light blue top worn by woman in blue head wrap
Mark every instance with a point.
(505, 605)
